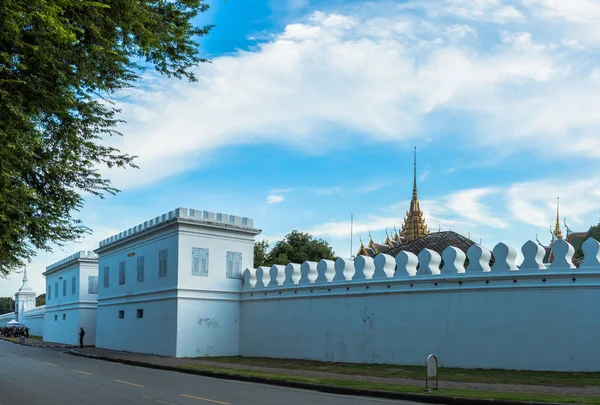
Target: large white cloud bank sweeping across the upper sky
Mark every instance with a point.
(329, 69)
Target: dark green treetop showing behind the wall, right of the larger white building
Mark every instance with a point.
(296, 247)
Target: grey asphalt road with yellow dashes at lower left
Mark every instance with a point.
(39, 376)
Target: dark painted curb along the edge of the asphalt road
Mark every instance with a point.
(360, 392)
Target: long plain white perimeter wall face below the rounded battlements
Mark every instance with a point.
(543, 321)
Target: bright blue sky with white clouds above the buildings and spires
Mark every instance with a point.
(310, 110)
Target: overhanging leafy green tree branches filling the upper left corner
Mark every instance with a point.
(61, 63)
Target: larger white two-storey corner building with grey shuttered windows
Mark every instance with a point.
(171, 285)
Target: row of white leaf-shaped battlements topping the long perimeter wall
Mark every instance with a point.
(407, 267)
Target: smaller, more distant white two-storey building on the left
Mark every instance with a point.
(71, 299)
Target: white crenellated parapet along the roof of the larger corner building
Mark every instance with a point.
(207, 217)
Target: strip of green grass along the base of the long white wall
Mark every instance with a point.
(492, 376)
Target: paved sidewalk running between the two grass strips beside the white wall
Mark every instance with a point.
(169, 362)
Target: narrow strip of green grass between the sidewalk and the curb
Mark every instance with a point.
(465, 393)
